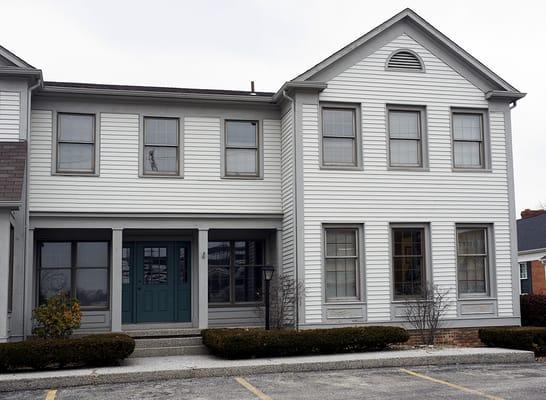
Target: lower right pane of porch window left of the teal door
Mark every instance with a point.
(92, 287)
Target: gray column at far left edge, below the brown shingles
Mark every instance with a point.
(4, 273)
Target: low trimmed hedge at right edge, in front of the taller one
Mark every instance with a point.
(520, 338)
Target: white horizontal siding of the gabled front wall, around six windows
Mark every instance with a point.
(378, 196)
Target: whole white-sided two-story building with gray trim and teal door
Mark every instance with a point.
(385, 167)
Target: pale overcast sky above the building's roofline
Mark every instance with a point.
(225, 44)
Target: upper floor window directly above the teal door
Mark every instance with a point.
(161, 146)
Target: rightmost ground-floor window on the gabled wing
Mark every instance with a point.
(472, 260)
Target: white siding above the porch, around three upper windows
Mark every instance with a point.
(120, 189)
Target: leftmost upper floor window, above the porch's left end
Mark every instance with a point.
(76, 143)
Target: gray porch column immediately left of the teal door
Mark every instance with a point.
(116, 279)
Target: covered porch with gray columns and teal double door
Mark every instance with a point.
(158, 273)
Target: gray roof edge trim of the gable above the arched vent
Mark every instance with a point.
(411, 16)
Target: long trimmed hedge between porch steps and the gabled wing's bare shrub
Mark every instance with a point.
(256, 343)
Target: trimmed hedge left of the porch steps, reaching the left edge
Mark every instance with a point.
(92, 350)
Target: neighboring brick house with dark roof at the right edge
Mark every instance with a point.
(532, 251)
